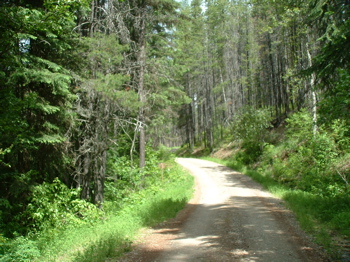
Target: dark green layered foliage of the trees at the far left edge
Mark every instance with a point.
(37, 56)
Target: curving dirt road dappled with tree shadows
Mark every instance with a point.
(231, 218)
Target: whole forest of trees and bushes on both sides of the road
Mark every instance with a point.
(96, 94)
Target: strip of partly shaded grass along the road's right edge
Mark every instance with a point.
(327, 219)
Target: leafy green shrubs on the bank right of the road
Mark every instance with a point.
(311, 162)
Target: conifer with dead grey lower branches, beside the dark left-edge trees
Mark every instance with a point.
(103, 102)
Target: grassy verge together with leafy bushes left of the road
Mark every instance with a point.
(103, 234)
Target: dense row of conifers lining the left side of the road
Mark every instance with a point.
(80, 82)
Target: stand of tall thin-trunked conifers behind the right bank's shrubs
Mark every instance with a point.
(252, 55)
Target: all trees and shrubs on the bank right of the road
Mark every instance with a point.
(273, 77)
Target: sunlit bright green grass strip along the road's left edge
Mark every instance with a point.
(114, 234)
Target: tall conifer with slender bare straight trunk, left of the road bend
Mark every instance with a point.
(140, 21)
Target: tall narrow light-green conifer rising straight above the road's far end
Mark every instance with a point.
(189, 60)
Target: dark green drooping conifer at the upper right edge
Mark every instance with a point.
(331, 65)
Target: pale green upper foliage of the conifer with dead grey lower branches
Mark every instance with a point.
(104, 58)
